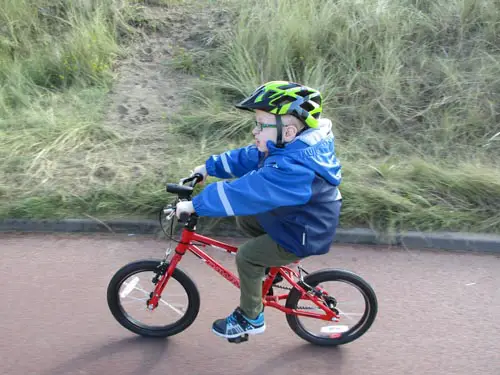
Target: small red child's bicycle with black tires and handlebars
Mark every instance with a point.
(305, 297)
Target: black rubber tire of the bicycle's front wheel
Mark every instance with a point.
(151, 265)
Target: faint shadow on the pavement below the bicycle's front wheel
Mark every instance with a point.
(152, 350)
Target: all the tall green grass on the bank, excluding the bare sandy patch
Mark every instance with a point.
(412, 88)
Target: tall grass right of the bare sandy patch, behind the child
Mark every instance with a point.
(412, 89)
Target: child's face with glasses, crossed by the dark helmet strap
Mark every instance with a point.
(270, 133)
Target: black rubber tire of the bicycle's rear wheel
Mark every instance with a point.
(315, 278)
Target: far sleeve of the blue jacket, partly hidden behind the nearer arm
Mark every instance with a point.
(234, 163)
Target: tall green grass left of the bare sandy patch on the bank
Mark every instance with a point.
(55, 72)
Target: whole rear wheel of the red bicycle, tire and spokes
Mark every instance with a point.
(357, 310)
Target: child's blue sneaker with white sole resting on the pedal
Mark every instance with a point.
(238, 324)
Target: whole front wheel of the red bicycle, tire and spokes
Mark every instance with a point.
(131, 287)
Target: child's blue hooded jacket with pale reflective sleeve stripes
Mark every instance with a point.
(292, 192)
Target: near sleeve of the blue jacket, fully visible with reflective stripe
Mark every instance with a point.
(256, 192)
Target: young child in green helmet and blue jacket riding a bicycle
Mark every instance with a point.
(285, 192)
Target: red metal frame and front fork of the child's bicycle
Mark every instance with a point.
(189, 236)
